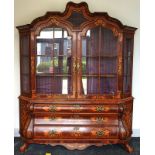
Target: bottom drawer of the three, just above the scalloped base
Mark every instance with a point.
(78, 132)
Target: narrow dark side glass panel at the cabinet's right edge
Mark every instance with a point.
(127, 64)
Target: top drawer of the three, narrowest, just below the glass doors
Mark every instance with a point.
(80, 108)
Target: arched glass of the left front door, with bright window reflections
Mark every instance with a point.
(53, 62)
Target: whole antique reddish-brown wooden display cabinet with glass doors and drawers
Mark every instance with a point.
(76, 78)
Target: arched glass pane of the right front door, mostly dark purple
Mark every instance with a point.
(99, 62)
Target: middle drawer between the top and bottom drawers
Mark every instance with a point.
(76, 119)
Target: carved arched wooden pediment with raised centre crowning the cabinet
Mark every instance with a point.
(74, 18)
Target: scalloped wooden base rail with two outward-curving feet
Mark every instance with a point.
(80, 145)
